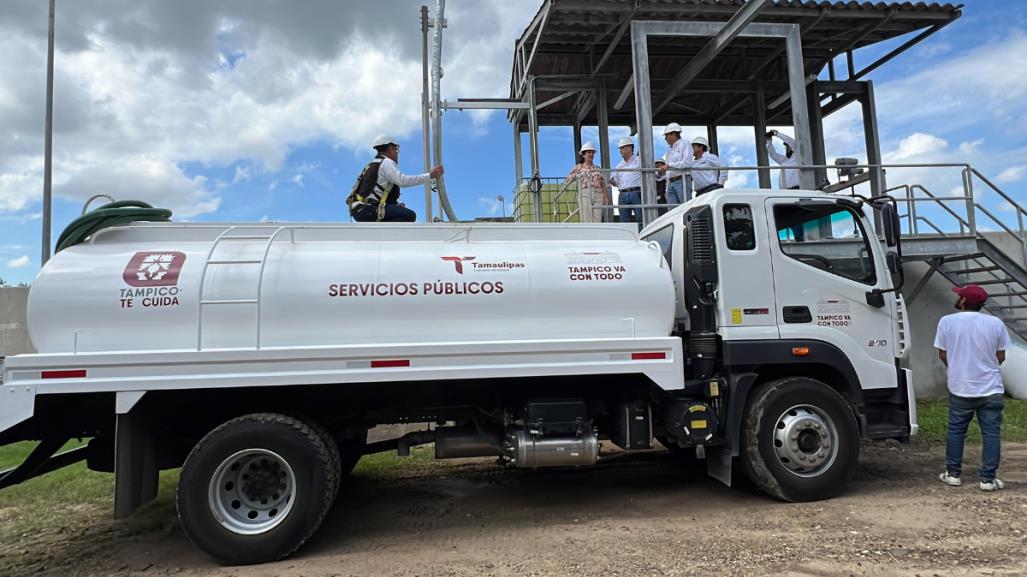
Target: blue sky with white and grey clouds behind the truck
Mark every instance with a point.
(239, 110)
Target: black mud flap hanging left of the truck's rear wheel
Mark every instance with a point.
(135, 464)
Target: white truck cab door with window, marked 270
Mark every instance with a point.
(824, 264)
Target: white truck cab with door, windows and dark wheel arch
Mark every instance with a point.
(793, 284)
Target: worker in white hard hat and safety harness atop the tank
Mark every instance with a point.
(376, 195)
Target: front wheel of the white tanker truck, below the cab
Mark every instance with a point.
(823, 438)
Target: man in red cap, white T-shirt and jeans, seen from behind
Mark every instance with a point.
(973, 347)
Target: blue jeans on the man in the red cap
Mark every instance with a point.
(990, 417)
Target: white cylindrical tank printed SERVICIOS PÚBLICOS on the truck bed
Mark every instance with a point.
(186, 287)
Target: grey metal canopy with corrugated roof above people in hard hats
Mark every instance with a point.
(708, 63)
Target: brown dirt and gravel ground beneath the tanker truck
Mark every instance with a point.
(633, 516)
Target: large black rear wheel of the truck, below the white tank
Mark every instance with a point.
(260, 447)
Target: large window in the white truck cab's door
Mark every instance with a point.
(828, 238)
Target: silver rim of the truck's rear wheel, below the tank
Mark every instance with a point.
(252, 492)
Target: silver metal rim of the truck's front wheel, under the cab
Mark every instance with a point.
(806, 441)
